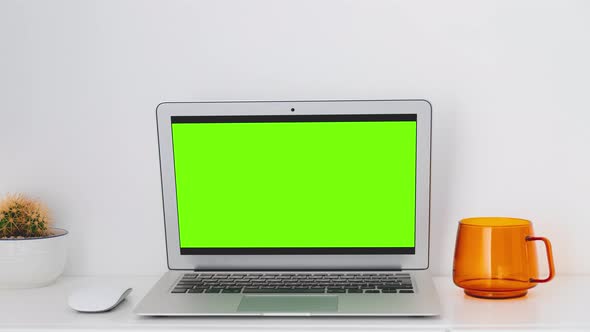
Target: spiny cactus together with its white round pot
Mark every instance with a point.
(32, 253)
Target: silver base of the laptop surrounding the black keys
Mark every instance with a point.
(160, 301)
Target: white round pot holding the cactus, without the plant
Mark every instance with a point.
(28, 263)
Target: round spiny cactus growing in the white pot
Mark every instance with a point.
(23, 217)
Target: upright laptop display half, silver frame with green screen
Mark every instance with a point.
(296, 184)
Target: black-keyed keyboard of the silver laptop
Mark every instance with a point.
(317, 283)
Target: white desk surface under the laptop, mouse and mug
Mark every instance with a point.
(560, 305)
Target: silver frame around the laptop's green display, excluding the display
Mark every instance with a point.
(300, 258)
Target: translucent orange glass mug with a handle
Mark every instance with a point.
(496, 257)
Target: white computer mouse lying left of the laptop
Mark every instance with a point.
(98, 299)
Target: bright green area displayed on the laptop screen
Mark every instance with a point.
(295, 184)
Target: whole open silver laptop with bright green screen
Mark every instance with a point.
(295, 208)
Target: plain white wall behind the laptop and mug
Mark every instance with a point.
(509, 81)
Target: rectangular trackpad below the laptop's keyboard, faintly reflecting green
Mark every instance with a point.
(296, 303)
